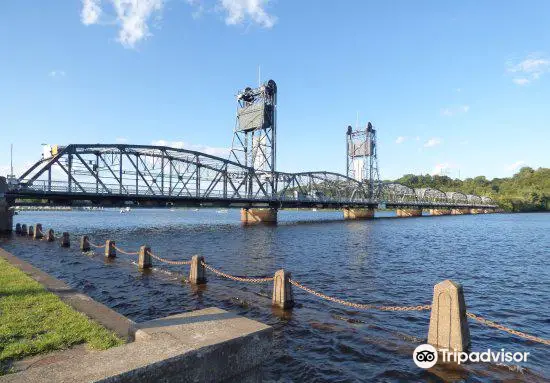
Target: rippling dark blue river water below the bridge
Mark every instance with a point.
(500, 259)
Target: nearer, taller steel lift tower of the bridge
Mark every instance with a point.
(254, 138)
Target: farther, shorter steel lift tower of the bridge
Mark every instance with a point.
(362, 161)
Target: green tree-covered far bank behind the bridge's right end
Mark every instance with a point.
(527, 190)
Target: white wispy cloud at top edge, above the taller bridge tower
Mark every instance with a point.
(240, 10)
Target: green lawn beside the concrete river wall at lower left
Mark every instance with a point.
(35, 321)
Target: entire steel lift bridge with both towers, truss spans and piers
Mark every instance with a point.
(146, 176)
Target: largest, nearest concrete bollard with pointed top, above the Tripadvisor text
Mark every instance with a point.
(448, 322)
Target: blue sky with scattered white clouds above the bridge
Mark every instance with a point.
(451, 86)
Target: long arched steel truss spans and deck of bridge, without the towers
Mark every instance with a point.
(115, 175)
